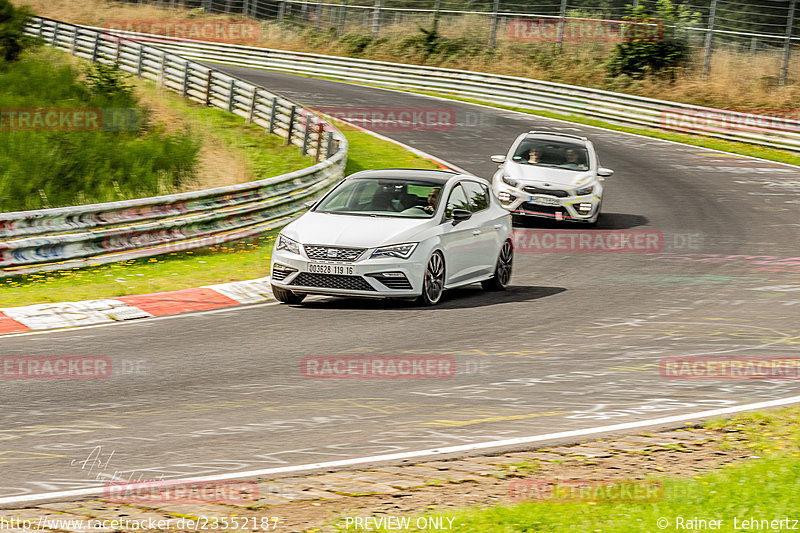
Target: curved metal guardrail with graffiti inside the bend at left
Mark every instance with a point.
(100, 233)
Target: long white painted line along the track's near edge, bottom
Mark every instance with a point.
(464, 448)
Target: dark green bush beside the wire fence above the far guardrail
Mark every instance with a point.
(642, 54)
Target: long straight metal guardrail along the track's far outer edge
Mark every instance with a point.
(772, 132)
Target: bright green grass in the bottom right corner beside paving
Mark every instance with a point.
(760, 489)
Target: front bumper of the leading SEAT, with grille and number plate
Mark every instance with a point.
(364, 278)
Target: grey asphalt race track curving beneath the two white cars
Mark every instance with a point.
(574, 343)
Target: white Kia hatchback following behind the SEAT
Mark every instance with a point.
(551, 175)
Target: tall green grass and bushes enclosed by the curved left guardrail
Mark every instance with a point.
(40, 169)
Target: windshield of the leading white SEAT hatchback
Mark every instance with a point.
(383, 197)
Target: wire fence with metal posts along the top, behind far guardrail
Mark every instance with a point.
(755, 25)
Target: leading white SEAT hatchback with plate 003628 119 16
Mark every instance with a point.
(398, 234)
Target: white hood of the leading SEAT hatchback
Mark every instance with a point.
(352, 230)
